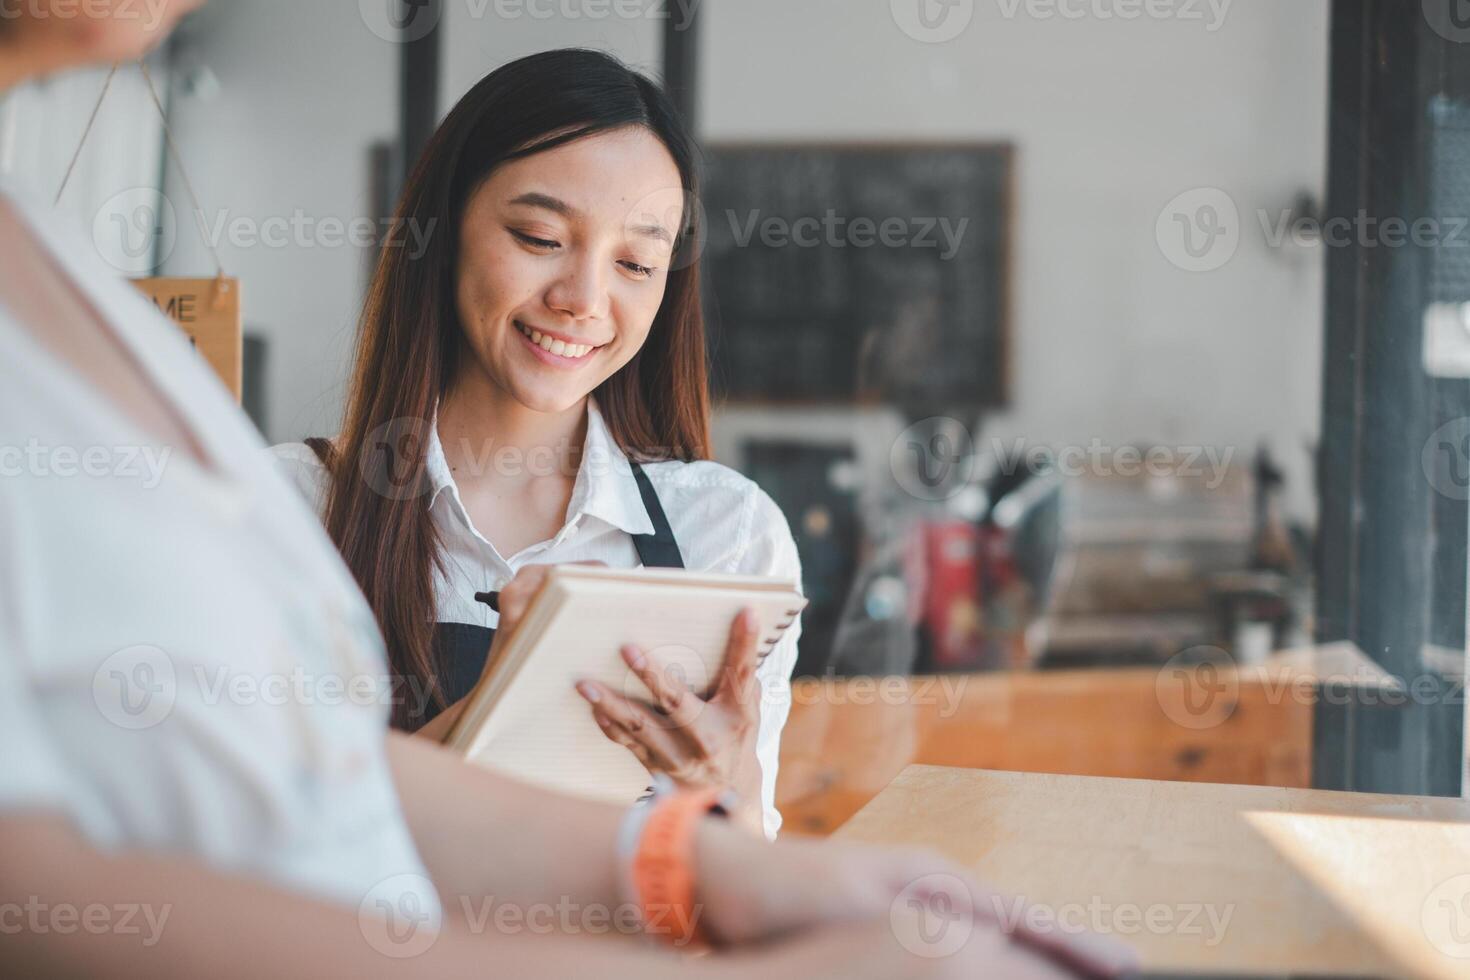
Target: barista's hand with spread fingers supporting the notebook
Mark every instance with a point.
(698, 741)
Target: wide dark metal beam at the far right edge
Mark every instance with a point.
(1393, 537)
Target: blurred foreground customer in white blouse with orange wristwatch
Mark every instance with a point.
(229, 835)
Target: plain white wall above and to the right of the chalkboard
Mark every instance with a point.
(1112, 120)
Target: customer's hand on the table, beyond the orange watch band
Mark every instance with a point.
(752, 891)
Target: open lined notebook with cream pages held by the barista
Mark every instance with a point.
(526, 719)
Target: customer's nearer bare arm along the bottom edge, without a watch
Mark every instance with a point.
(159, 919)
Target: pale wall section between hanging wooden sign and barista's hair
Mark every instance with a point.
(305, 89)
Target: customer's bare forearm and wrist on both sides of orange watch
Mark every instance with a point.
(481, 834)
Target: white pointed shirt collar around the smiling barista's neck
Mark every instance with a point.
(605, 487)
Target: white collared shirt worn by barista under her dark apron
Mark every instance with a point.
(723, 521)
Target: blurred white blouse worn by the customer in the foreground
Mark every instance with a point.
(186, 663)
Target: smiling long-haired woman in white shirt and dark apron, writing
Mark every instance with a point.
(531, 390)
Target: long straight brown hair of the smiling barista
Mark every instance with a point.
(411, 339)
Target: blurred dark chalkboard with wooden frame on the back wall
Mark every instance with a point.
(859, 274)
